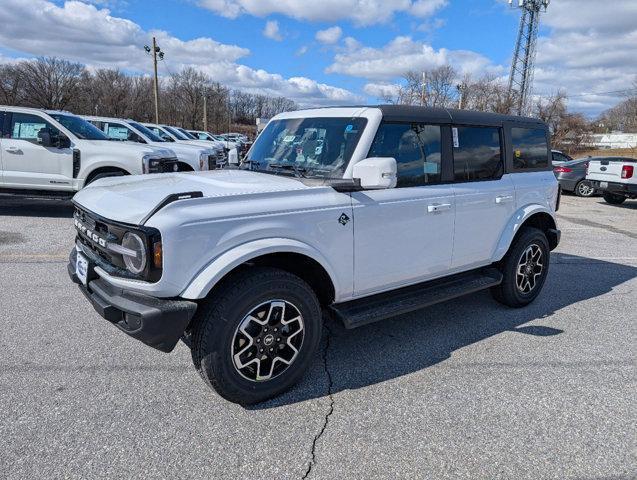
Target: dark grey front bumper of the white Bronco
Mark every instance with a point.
(157, 322)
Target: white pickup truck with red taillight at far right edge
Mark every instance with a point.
(614, 177)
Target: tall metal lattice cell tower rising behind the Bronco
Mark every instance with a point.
(521, 78)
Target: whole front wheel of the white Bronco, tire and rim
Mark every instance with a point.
(256, 335)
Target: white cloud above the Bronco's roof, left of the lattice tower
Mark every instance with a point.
(401, 55)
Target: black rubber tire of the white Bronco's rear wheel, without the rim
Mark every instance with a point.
(507, 292)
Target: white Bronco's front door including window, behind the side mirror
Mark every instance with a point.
(404, 235)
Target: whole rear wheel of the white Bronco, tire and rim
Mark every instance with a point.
(524, 269)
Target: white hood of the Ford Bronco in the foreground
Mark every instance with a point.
(131, 199)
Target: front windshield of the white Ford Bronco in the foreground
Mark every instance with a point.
(318, 147)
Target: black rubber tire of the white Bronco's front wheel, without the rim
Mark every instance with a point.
(216, 321)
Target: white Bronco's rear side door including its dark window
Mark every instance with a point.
(485, 197)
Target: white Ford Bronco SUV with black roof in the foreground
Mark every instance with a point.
(364, 212)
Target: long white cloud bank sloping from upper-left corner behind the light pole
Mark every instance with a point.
(85, 33)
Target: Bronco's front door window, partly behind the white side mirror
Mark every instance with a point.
(416, 148)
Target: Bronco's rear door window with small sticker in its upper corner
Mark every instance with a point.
(477, 153)
